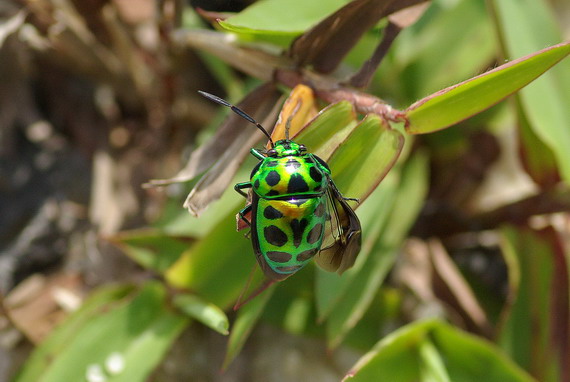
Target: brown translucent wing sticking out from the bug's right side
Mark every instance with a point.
(341, 255)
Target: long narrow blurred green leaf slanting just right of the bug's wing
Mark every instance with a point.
(367, 279)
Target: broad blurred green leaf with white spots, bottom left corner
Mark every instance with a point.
(124, 344)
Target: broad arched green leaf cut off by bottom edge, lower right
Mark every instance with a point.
(434, 351)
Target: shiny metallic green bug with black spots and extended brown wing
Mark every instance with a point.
(296, 210)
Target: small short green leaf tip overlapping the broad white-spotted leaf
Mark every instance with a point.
(208, 314)
